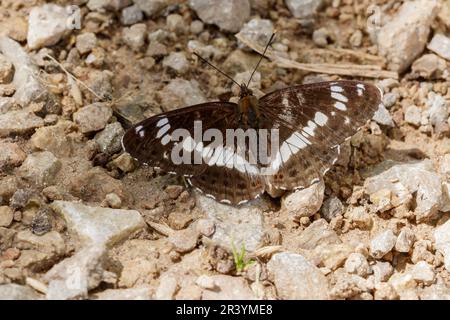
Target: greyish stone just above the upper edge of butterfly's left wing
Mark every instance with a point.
(181, 93)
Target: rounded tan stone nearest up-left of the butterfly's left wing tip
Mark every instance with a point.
(93, 117)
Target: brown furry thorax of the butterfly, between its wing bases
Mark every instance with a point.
(249, 115)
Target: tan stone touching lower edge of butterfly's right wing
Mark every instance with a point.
(304, 202)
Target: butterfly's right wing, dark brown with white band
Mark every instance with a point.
(313, 120)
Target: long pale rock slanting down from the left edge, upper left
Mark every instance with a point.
(28, 88)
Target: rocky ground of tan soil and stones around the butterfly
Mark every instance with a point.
(79, 219)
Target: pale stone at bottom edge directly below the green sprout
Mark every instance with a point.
(228, 288)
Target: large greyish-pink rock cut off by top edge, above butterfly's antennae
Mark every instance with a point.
(228, 15)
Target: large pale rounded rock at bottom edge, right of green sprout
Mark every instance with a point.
(296, 278)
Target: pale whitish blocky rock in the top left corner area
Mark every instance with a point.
(47, 25)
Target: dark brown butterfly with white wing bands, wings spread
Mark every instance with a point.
(300, 129)
